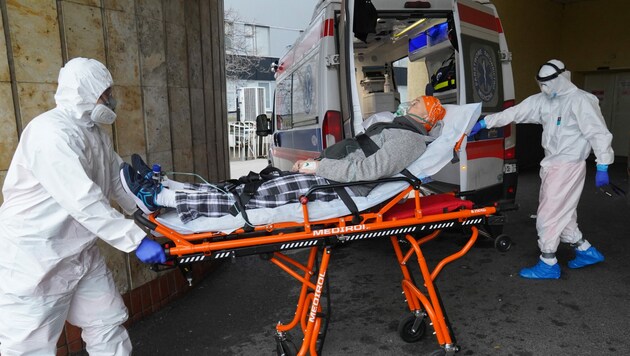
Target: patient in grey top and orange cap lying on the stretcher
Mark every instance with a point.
(384, 150)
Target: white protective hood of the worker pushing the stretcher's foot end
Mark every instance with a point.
(81, 83)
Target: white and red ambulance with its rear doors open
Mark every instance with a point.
(358, 58)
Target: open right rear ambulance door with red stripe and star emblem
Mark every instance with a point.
(481, 61)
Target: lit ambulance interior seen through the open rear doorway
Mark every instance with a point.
(404, 46)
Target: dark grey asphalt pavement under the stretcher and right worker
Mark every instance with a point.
(492, 310)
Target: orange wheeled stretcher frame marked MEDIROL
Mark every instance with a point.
(416, 220)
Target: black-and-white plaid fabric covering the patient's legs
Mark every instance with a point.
(210, 201)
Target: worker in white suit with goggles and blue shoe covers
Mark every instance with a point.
(572, 125)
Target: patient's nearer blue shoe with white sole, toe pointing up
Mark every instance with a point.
(143, 191)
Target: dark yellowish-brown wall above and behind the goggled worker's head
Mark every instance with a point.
(585, 35)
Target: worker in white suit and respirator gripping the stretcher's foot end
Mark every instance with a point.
(56, 203)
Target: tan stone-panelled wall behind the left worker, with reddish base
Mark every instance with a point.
(165, 57)
